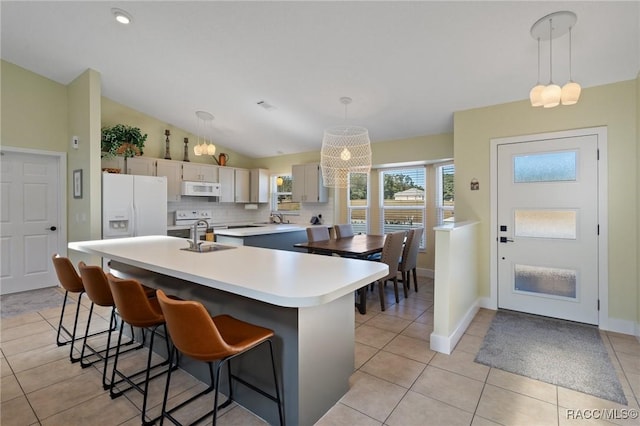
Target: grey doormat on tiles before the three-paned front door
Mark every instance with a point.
(558, 352)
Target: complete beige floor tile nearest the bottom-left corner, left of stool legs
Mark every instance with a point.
(76, 390)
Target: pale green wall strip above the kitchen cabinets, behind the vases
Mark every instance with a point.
(115, 113)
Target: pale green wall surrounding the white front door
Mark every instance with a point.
(612, 105)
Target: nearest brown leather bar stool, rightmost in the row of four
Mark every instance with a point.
(212, 339)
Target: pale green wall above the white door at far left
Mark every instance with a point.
(34, 110)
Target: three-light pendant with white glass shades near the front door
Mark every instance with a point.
(549, 27)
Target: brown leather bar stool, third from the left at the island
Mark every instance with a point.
(137, 310)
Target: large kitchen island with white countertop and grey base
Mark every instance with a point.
(307, 300)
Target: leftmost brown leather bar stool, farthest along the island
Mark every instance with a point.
(72, 283)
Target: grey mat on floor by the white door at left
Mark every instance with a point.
(30, 301)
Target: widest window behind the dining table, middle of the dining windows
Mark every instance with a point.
(403, 199)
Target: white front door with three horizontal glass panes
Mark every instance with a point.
(548, 227)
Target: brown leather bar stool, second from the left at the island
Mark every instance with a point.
(97, 288)
